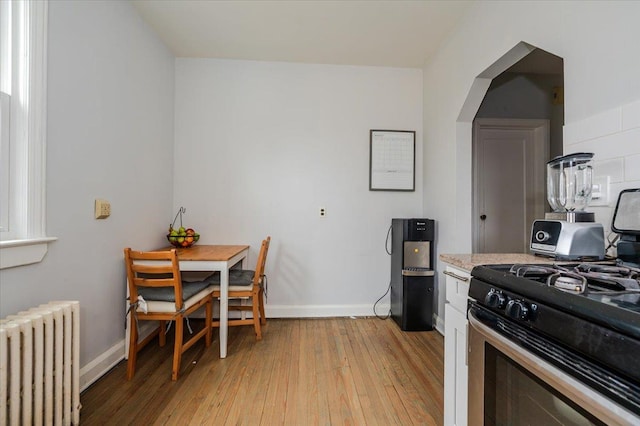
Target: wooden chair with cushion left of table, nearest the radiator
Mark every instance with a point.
(156, 277)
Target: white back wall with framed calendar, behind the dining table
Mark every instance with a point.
(261, 146)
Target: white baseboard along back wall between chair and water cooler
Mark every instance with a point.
(316, 311)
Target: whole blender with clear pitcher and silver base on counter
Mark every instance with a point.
(569, 232)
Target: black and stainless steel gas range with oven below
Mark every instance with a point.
(565, 337)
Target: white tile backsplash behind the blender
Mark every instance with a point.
(614, 137)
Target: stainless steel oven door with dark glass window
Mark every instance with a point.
(508, 385)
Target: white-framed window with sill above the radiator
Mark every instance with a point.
(23, 63)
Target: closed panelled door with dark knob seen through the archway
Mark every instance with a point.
(509, 182)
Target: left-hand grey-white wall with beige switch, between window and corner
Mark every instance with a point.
(110, 135)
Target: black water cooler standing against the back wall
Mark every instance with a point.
(412, 274)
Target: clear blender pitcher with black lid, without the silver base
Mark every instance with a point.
(569, 182)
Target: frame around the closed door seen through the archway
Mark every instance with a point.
(541, 146)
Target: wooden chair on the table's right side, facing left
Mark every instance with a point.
(249, 285)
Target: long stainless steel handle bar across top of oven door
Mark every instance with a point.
(598, 405)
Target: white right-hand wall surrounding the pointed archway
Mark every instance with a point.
(601, 63)
